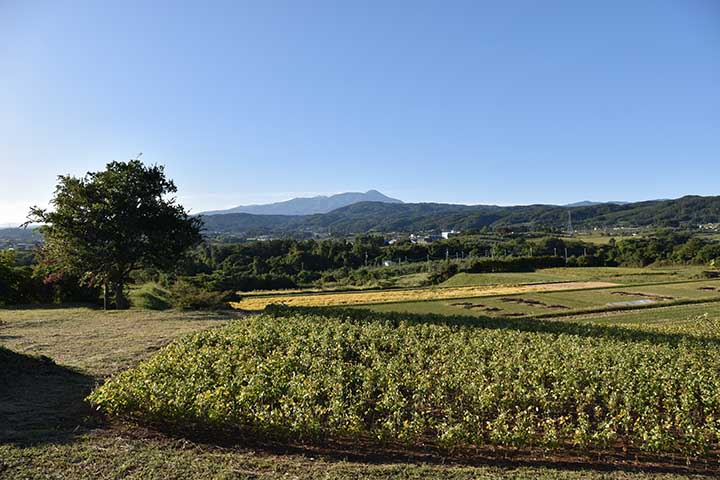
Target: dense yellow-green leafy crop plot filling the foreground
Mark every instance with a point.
(359, 374)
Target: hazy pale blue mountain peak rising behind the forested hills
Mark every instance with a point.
(309, 205)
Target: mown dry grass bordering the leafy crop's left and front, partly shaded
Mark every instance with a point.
(47, 431)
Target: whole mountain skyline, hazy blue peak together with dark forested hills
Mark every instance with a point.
(385, 214)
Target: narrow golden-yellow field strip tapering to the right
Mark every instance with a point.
(418, 294)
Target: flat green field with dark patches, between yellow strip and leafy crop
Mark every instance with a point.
(550, 303)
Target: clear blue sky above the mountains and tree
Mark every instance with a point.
(504, 102)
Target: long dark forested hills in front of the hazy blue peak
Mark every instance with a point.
(415, 217)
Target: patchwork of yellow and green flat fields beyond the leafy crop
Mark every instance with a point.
(458, 292)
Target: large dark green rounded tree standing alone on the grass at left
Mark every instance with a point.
(103, 226)
